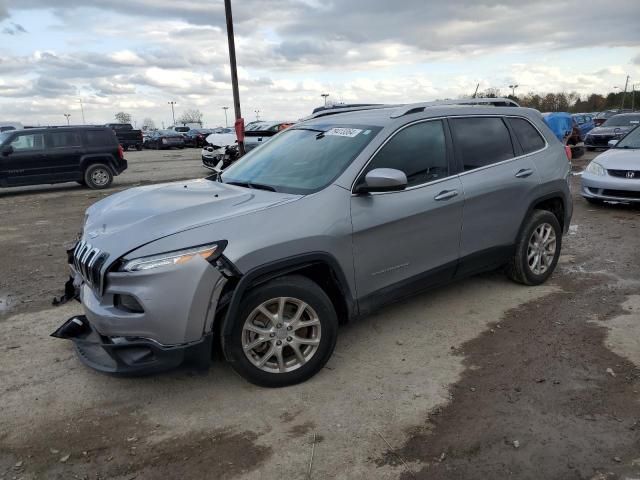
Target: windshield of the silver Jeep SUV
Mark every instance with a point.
(301, 160)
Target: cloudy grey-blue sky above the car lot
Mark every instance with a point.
(136, 55)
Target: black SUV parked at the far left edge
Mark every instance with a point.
(90, 156)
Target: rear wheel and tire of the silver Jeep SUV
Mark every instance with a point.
(519, 268)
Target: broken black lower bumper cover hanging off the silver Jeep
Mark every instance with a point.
(127, 356)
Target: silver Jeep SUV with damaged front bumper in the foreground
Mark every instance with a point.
(335, 216)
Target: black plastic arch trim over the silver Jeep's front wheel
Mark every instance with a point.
(320, 267)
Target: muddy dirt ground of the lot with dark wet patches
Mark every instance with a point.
(480, 379)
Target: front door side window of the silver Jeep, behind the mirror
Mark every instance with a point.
(420, 151)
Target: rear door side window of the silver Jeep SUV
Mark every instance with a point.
(481, 141)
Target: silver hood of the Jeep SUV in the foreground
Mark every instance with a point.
(135, 217)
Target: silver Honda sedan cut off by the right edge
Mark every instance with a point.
(615, 174)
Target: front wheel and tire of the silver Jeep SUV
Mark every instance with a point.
(295, 293)
